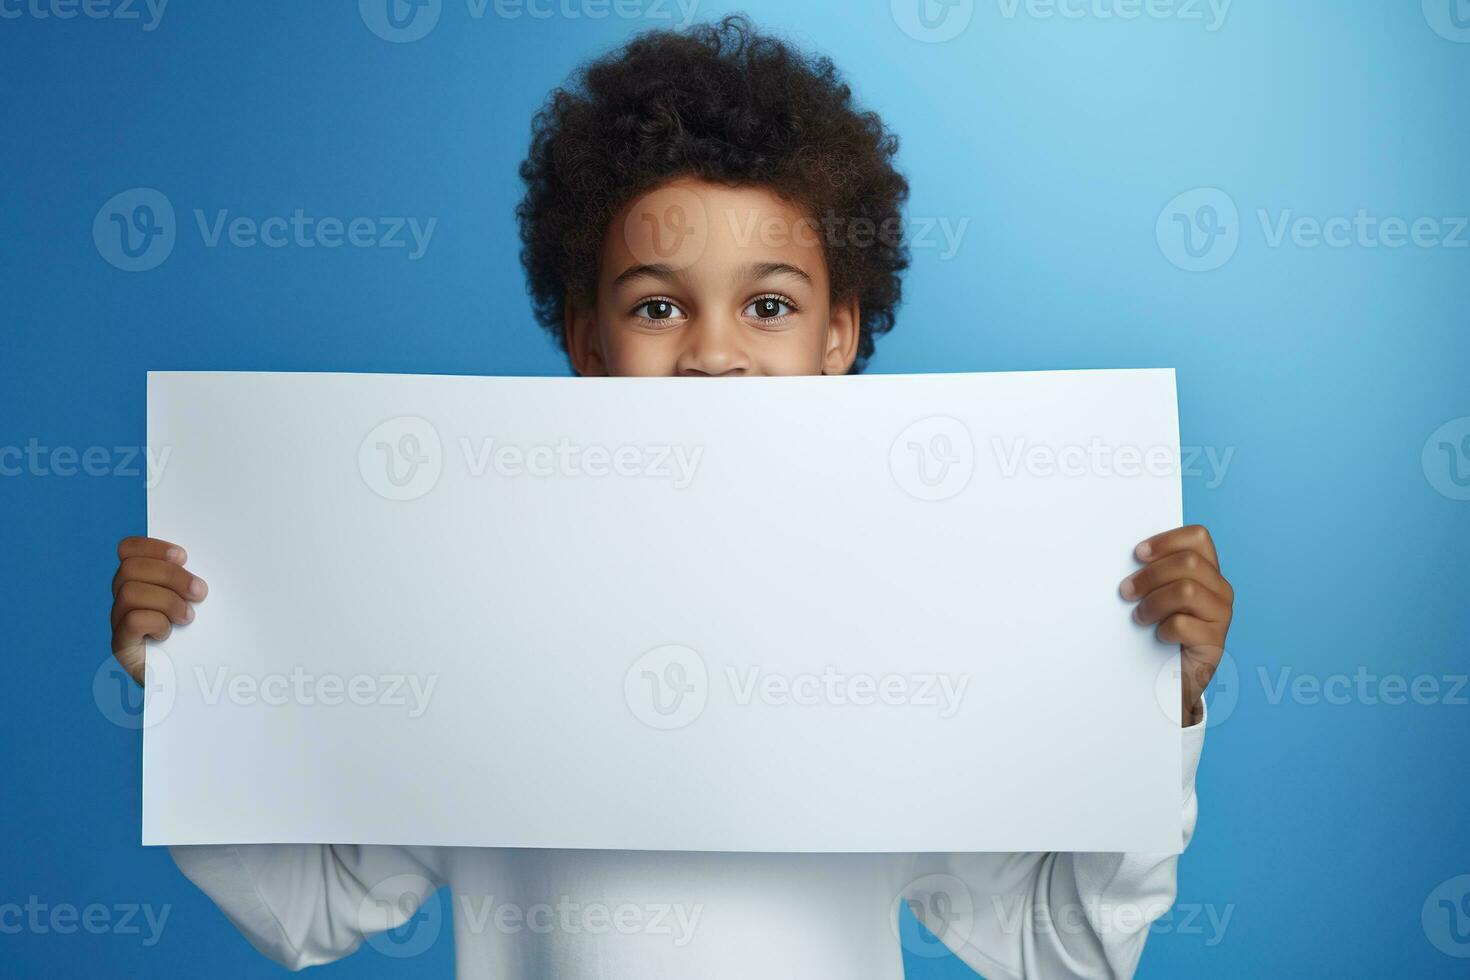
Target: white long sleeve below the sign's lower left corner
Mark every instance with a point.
(306, 904)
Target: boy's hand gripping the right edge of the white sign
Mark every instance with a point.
(1183, 590)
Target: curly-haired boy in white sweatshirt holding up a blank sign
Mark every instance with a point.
(711, 205)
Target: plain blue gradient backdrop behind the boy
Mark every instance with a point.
(1324, 828)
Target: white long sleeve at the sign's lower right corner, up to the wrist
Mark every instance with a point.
(1052, 915)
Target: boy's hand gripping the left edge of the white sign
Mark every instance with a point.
(151, 594)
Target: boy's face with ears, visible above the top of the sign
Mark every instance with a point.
(705, 280)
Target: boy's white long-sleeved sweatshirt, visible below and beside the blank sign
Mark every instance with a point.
(645, 916)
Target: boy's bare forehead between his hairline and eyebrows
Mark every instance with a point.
(705, 228)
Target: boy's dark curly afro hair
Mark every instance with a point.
(723, 104)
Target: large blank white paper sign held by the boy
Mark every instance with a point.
(872, 613)
